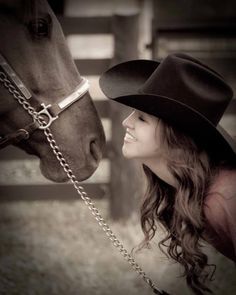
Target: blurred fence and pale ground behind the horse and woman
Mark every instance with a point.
(50, 243)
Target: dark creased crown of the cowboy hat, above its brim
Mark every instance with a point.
(187, 81)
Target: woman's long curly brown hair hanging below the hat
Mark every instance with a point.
(180, 210)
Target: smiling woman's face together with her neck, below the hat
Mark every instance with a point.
(143, 141)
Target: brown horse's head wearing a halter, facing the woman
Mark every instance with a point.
(33, 46)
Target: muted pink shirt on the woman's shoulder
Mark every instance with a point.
(220, 213)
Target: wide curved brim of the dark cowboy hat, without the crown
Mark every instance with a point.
(122, 84)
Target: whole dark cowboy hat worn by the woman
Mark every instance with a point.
(182, 91)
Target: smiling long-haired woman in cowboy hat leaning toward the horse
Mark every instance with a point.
(188, 158)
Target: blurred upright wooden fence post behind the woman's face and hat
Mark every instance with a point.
(126, 184)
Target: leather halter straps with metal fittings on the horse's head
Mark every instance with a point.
(49, 112)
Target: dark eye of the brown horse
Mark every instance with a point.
(40, 28)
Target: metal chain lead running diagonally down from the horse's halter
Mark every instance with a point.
(80, 190)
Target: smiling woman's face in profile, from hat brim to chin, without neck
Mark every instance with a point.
(142, 139)
